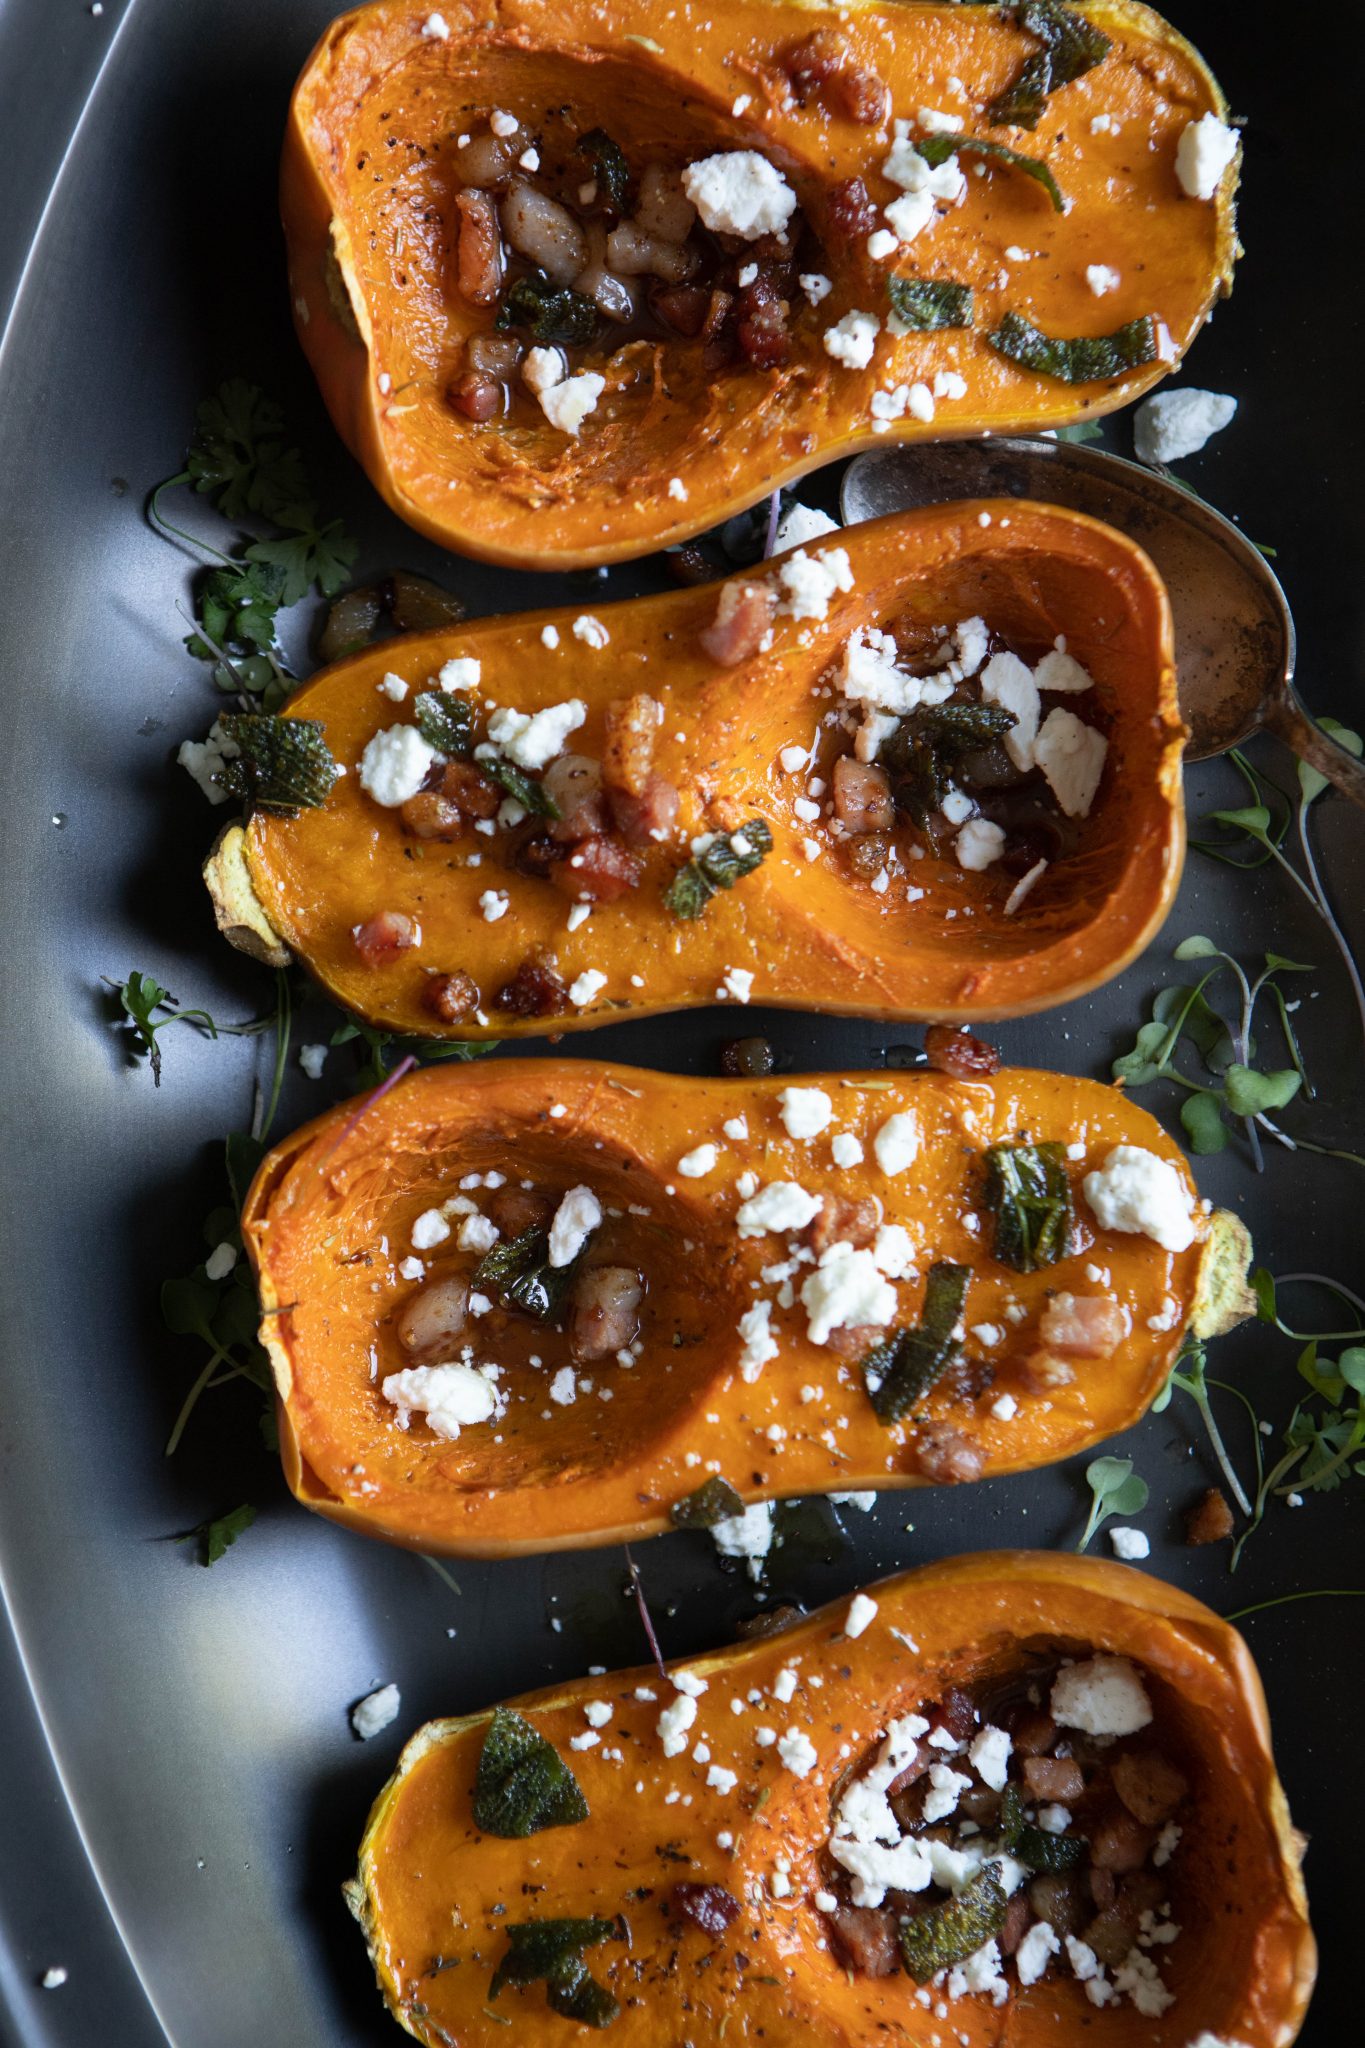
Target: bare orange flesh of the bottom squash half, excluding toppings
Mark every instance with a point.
(1241, 1969)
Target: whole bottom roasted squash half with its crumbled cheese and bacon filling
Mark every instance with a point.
(852, 1832)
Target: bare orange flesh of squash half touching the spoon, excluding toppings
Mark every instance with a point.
(813, 937)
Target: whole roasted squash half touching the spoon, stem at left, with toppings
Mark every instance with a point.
(922, 769)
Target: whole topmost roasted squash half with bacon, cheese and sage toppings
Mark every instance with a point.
(578, 284)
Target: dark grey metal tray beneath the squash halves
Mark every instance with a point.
(177, 1740)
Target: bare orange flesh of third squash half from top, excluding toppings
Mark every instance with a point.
(570, 1478)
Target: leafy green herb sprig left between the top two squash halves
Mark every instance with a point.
(245, 466)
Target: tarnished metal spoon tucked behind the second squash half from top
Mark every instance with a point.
(1233, 628)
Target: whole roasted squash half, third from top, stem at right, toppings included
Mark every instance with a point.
(539, 1306)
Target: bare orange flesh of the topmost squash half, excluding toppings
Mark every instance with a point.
(537, 499)
